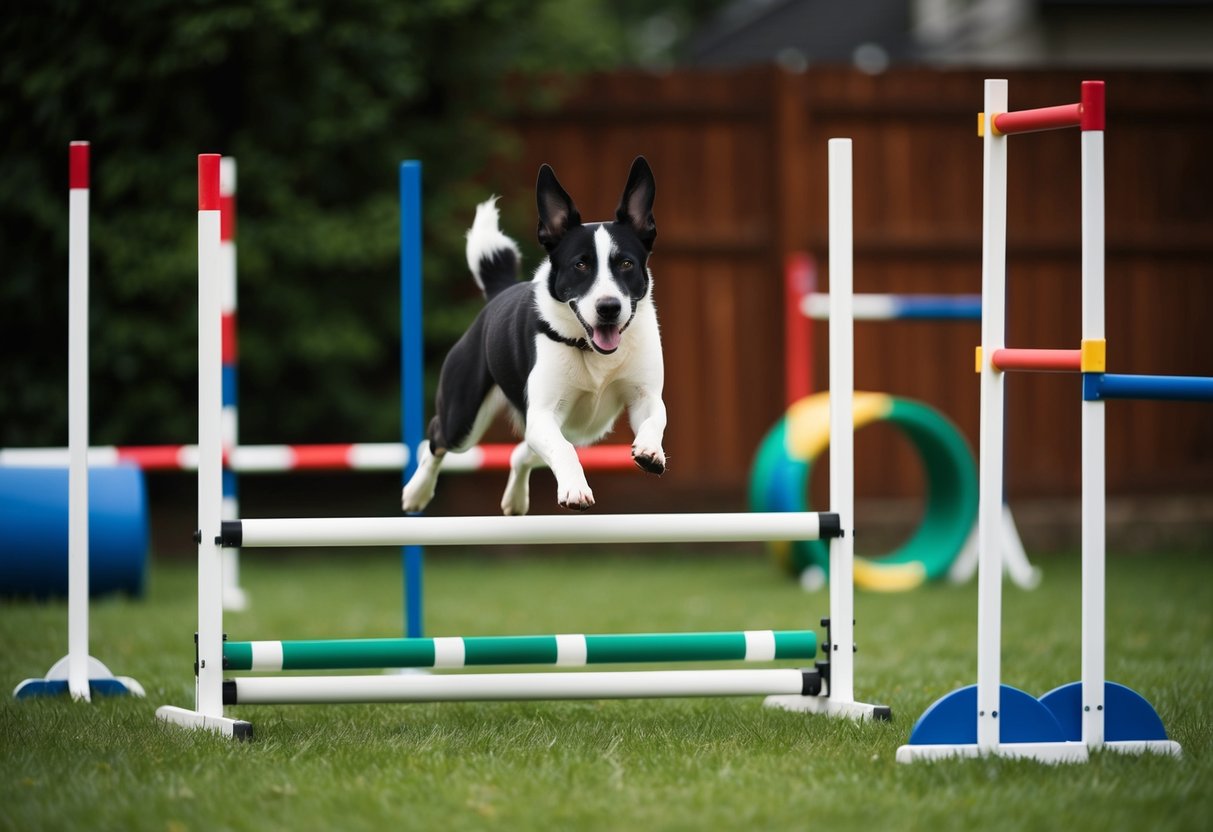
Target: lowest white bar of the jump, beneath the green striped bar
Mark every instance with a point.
(503, 687)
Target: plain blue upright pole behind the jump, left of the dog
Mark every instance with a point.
(412, 372)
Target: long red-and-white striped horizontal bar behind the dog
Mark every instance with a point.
(275, 459)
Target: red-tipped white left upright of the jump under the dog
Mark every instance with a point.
(210, 443)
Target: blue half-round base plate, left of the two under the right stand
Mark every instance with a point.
(953, 720)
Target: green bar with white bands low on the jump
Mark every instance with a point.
(570, 651)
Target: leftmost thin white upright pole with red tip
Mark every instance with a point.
(78, 421)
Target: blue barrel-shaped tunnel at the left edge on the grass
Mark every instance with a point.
(35, 544)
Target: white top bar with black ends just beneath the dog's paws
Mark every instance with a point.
(529, 531)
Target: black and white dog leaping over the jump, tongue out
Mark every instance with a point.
(567, 351)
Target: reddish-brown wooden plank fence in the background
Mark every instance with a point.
(741, 161)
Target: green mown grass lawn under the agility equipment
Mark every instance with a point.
(681, 765)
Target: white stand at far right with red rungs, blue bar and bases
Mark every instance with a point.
(990, 717)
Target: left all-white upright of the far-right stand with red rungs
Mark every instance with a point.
(994, 280)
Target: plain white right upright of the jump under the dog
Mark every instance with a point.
(842, 476)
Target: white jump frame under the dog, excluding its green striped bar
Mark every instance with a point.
(827, 689)
